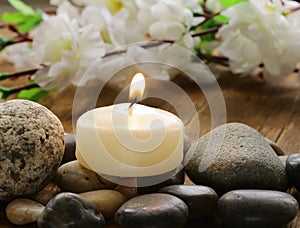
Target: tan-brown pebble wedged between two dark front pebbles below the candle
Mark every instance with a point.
(107, 201)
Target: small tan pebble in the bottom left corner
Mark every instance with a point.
(23, 211)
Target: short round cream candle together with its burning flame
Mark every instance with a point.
(130, 140)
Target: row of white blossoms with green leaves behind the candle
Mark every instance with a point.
(246, 34)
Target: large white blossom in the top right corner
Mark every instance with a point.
(259, 32)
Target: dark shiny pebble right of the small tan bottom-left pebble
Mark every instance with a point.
(70, 211)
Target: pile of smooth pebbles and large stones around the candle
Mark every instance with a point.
(244, 186)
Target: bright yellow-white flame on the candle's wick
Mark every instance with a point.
(137, 87)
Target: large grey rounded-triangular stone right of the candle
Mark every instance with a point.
(244, 161)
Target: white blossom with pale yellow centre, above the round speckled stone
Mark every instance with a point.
(67, 49)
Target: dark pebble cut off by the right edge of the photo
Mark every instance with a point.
(293, 169)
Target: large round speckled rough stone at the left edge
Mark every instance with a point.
(31, 147)
